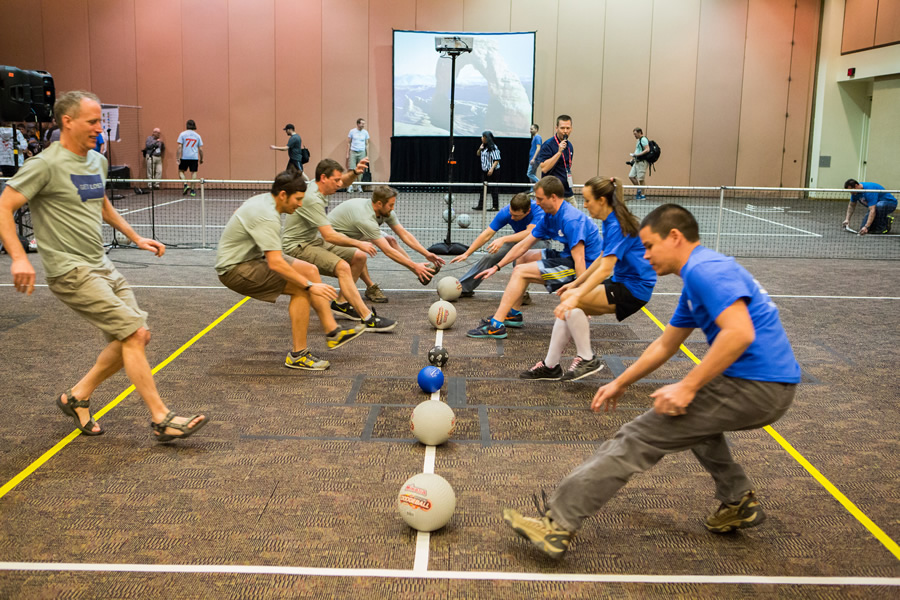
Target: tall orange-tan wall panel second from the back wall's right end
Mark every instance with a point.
(767, 69)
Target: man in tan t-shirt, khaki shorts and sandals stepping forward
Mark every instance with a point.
(64, 188)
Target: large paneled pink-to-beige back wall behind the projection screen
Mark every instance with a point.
(711, 80)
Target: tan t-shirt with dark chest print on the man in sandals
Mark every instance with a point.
(65, 195)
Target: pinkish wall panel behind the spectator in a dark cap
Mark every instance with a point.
(298, 79)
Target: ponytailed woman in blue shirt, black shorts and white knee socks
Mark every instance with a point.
(621, 281)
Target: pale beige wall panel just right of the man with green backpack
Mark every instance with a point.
(673, 72)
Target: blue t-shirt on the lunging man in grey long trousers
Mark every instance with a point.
(712, 283)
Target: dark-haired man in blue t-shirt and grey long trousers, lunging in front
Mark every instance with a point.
(746, 380)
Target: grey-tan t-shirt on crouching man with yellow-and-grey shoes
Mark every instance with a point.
(253, 230)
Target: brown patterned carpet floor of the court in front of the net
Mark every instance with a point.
(301, 469)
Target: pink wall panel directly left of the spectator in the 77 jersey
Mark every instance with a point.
(160, 87)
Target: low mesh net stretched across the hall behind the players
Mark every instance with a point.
(738, 221)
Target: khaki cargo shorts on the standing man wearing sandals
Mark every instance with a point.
(102, 297)
